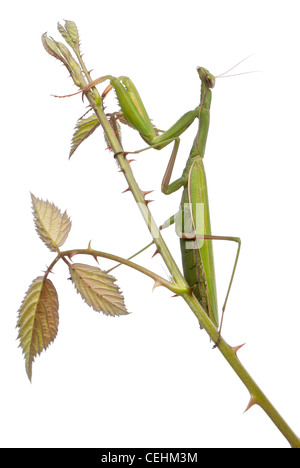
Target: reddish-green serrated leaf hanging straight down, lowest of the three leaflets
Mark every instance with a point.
(38, 320)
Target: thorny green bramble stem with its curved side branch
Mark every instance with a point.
(180, 285)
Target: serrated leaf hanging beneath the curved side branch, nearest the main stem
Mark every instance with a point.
(98, 289)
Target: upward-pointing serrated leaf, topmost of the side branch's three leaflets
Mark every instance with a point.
(51, 225)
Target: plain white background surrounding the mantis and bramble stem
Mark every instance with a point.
(151, 379)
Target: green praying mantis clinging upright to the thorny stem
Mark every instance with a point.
(195, 238)
